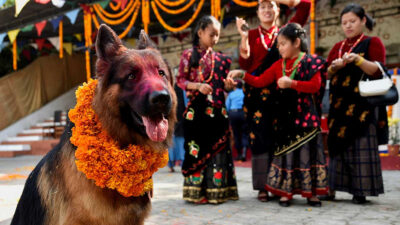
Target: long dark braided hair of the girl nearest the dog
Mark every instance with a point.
(201, 24)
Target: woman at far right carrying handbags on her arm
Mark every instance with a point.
(356, 128)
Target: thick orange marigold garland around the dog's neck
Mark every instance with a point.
(98, 156)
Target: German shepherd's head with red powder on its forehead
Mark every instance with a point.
(135, 99)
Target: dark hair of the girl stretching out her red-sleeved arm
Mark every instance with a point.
(292, 31)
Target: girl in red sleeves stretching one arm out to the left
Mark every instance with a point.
(298, 166)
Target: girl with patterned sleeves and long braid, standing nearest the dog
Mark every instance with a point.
(208, 167)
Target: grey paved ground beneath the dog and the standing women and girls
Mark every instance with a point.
(170, 209)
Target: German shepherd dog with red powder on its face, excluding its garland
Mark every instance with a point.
(134, 101)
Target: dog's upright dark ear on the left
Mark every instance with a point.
(107, 43)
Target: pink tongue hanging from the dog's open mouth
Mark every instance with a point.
(157, 131)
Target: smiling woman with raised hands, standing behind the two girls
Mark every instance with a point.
(257, 53)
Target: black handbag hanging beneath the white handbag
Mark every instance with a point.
(390, 97)
